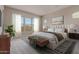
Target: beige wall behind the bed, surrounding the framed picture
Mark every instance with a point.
(66, 12)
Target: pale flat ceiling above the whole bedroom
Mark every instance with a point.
(39, 9)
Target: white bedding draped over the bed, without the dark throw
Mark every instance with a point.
(53, 41)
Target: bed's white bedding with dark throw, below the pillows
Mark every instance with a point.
(55, 39)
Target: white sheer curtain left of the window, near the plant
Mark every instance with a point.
(16, 20)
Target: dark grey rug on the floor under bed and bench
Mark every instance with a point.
(65, 48)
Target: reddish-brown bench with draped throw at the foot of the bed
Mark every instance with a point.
(39, 41)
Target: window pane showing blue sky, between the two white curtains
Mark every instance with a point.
(27, 24)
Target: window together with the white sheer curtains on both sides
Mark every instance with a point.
(25, 24)
